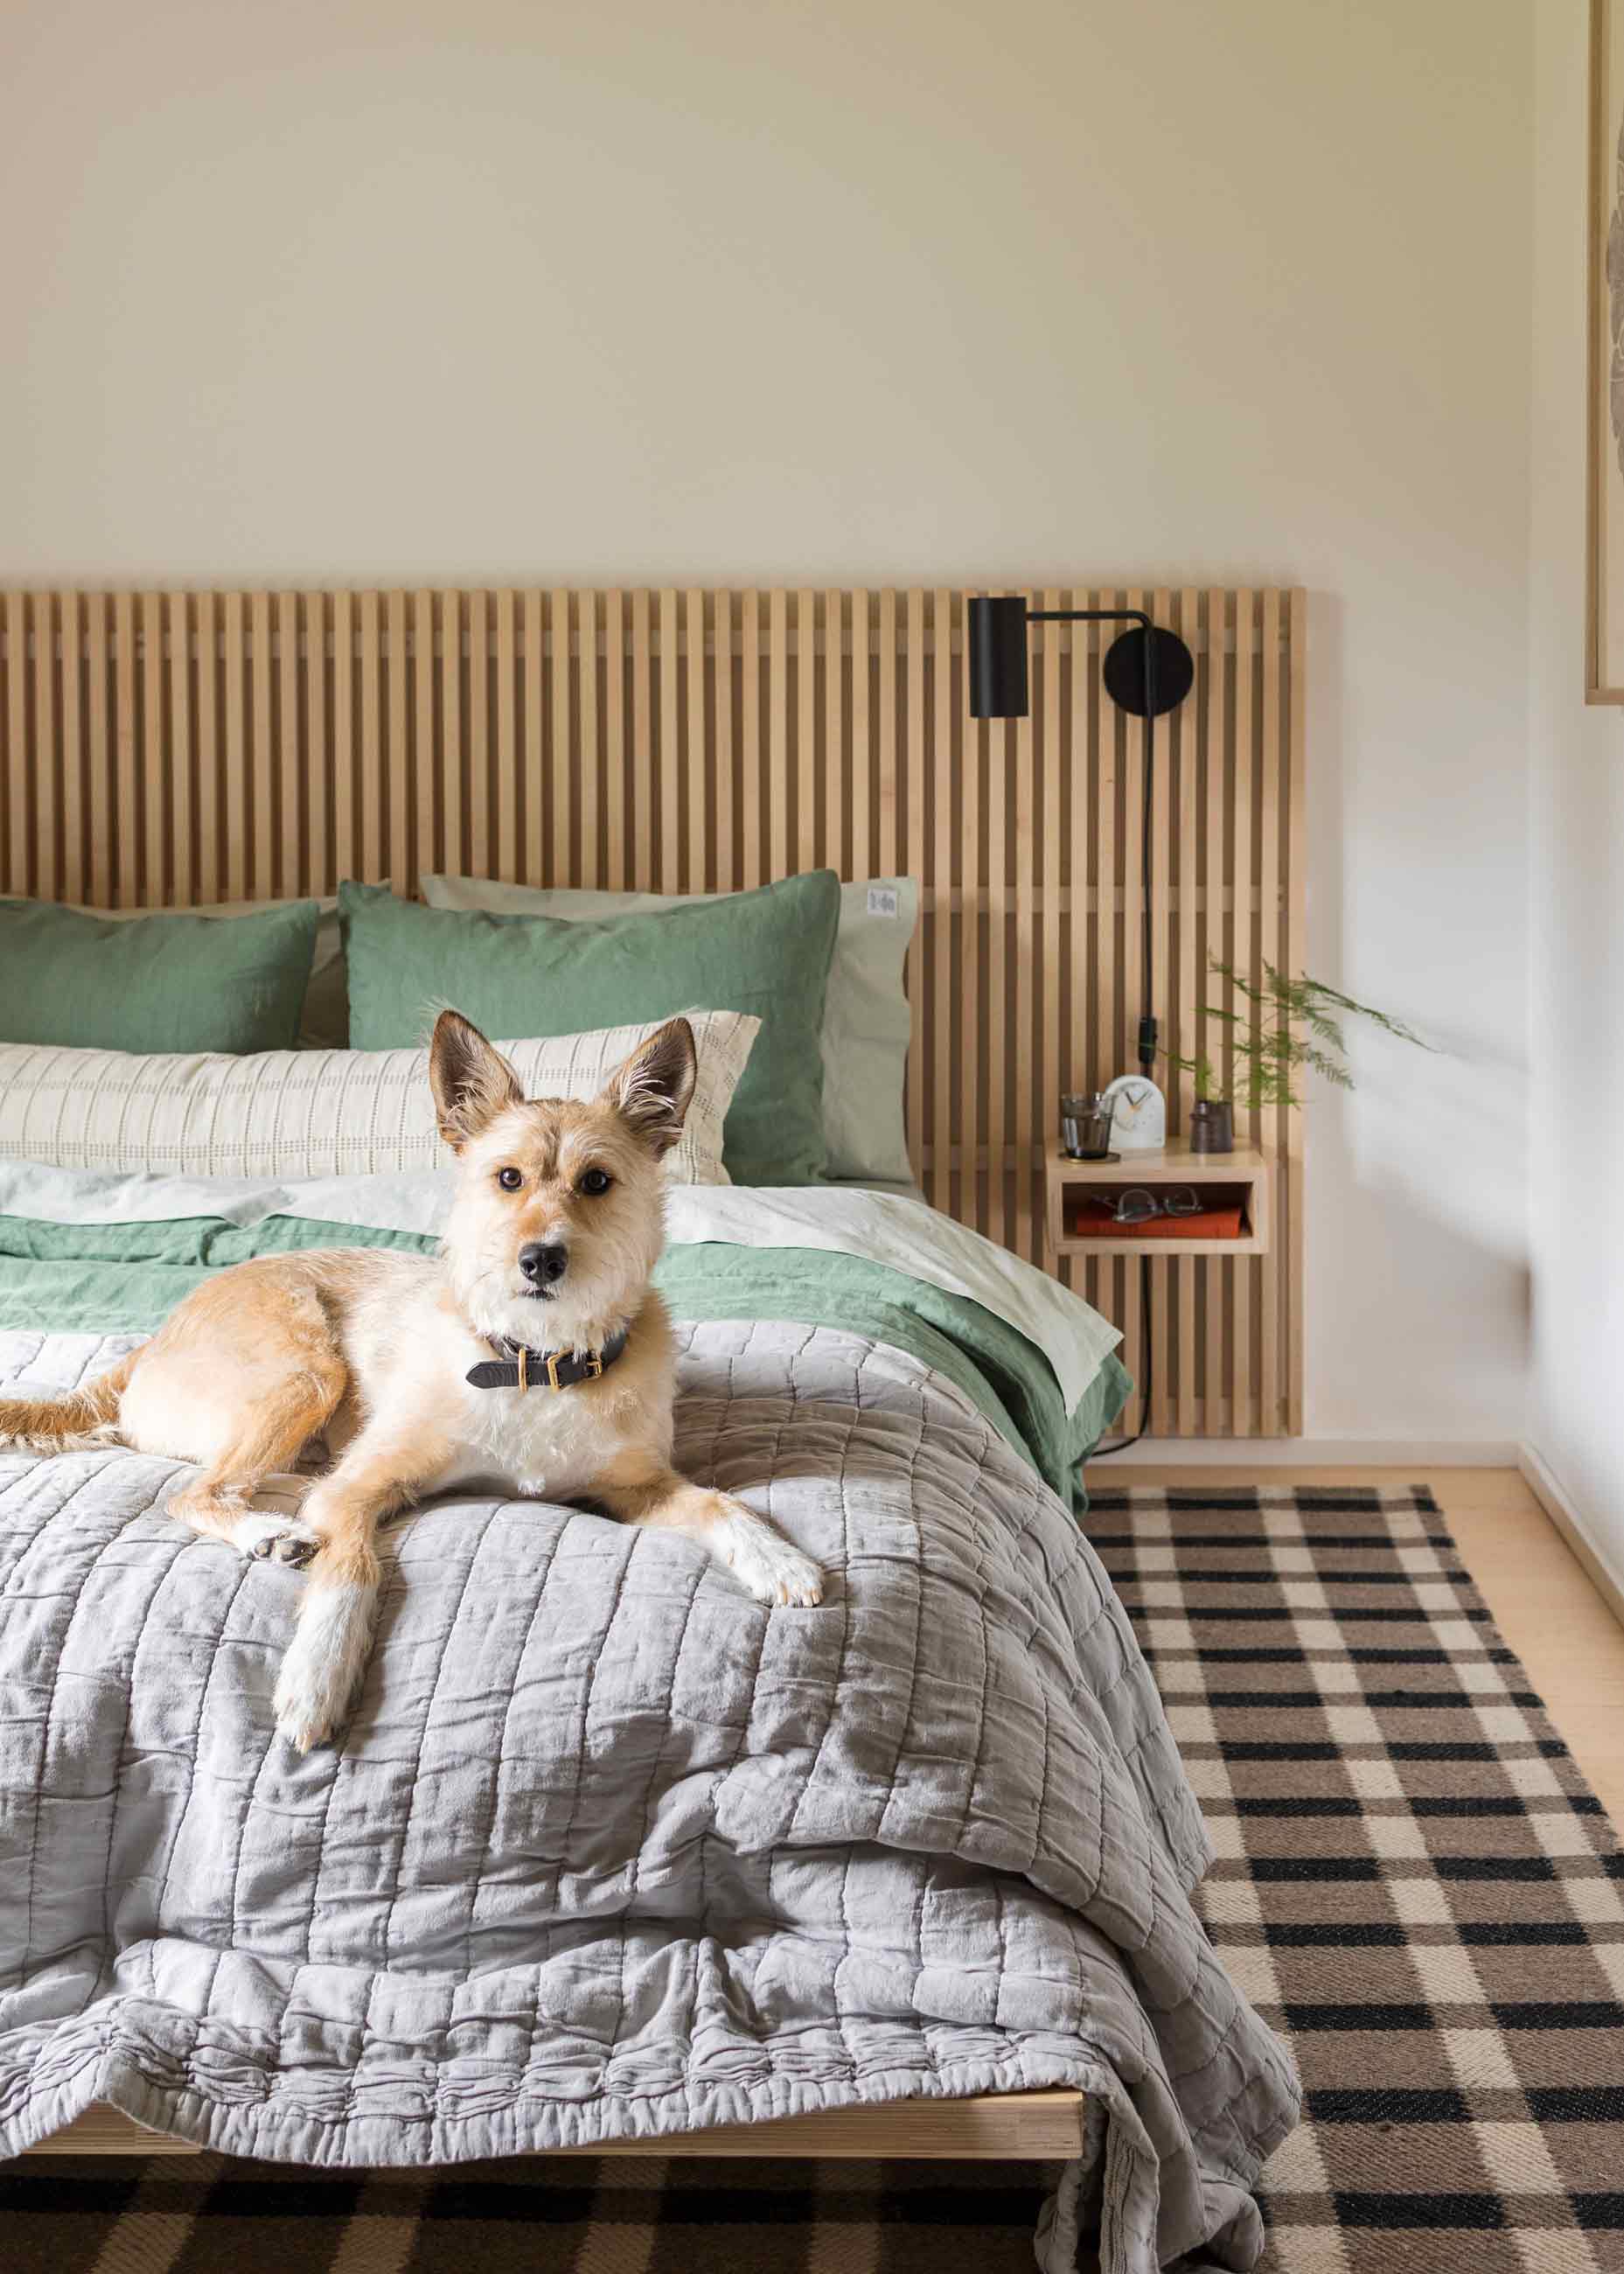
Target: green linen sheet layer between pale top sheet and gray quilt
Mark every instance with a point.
(129, 1277)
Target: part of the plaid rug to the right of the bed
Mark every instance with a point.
(1414, 1882)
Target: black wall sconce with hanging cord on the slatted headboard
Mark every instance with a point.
(1147, 672)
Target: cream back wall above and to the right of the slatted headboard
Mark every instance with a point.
(872, 290)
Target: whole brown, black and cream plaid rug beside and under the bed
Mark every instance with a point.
(1414, 1884)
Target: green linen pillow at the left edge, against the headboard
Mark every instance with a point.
(154, 984)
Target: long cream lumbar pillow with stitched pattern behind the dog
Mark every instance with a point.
(320, 1113)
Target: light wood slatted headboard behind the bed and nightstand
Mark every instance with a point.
(190, 747)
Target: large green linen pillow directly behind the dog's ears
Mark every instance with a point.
(761, 952)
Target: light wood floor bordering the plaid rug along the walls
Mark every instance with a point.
(1543, 1600)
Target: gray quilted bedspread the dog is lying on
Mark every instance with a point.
(606, 1850)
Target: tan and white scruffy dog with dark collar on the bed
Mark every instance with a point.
(531, 1352)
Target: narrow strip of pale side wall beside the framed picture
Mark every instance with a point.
(1577, 861)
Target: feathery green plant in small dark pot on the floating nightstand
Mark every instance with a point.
(1282, 1029)
